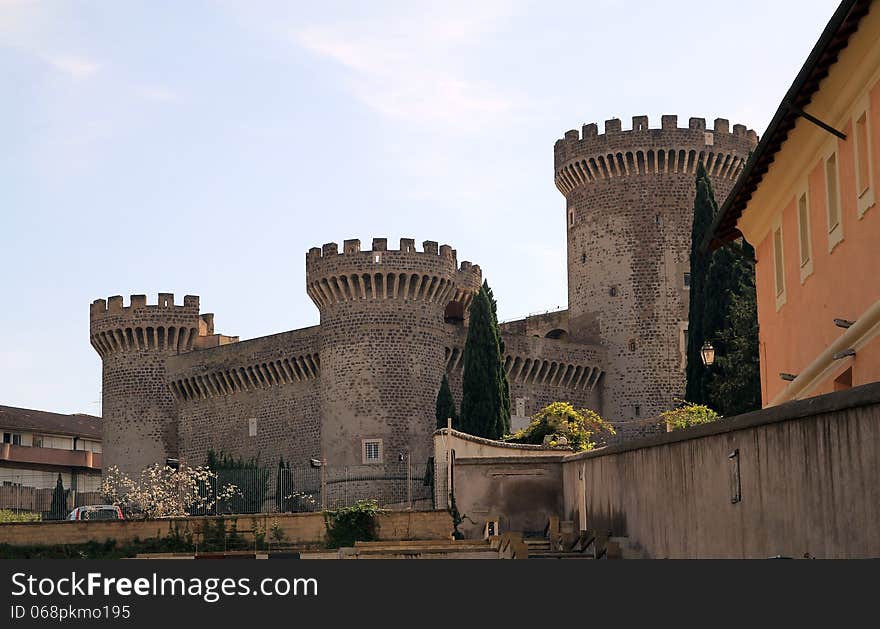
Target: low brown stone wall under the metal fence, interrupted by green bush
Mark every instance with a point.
(298, 528)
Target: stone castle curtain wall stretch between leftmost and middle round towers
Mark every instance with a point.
(272, 381)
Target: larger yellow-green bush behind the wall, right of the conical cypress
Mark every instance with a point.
(581, 429)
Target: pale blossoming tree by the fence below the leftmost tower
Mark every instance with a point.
(161, 491)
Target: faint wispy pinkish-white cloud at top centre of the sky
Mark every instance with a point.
(418, 68)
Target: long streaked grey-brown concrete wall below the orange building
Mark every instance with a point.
(809, 473)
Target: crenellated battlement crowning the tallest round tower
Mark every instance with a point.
(586, 156)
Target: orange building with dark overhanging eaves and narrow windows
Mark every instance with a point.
(808, 204)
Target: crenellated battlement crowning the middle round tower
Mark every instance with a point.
(432, 274)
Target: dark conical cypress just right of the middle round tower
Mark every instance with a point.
(482, 402)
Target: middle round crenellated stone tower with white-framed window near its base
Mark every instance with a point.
(382, 347)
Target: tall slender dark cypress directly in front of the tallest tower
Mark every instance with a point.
(704, 211)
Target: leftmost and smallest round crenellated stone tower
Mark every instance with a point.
(139, 418)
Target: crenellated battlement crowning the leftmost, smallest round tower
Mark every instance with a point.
(162, 326)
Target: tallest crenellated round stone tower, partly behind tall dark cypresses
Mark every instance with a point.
(629, 210)
